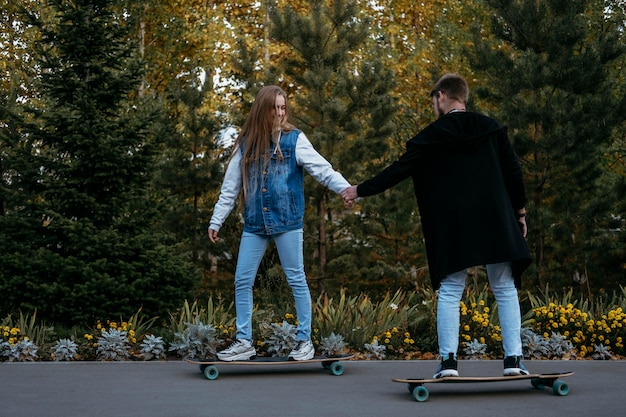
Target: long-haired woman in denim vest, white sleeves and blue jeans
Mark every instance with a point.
(268, 163)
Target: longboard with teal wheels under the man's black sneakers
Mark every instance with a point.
(420, 393)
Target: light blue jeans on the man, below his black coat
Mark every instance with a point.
(448, 311)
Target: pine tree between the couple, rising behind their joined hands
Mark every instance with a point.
(342, 100)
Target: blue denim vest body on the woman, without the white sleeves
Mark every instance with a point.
(275, 201)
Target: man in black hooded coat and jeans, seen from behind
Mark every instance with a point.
(471, 198)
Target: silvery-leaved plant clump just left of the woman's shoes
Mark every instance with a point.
(196, 341)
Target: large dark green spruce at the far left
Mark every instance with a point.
(81, 242)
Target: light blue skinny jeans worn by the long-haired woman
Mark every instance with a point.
(290, 251)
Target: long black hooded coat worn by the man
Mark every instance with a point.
(468, 184)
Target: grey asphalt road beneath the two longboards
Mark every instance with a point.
(178, 389)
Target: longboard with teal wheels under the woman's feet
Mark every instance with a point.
(209, 367)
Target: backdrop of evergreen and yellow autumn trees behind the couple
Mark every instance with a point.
(108, 172)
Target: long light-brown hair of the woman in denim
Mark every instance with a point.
(259, 130)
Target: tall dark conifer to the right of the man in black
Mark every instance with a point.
(551, 72)
